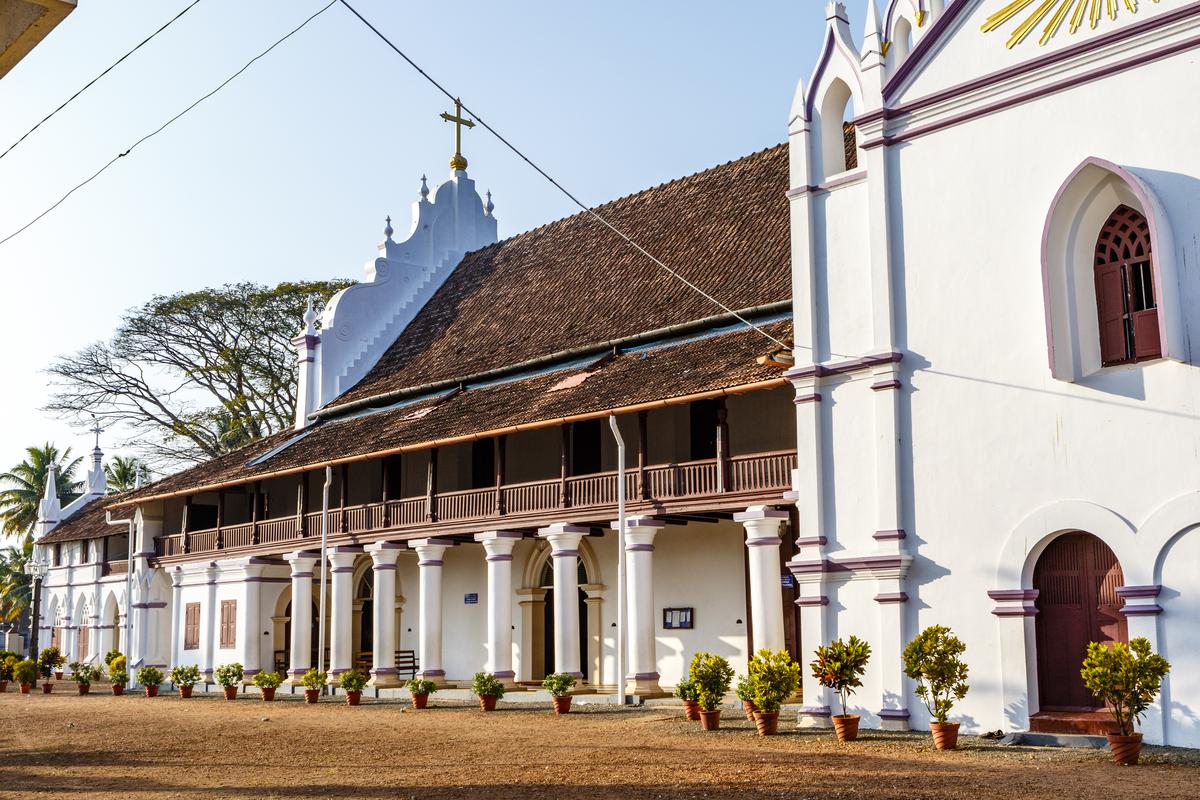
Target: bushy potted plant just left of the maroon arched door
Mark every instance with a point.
(934, 661)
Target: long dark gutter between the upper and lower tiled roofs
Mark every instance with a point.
(545, 360)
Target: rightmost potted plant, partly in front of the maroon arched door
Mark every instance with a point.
(1127, 679)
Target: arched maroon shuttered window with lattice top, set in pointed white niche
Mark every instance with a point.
(1125, 290)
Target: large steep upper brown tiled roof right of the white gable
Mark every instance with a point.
(574, 282)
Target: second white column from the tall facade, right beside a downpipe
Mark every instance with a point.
(644, 667)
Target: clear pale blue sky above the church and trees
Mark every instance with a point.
(289, 173)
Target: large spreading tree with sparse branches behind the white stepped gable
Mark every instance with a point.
(194, 375)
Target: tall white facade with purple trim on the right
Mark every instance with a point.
(961, 418)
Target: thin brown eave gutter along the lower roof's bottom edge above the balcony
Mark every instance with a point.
(771, 383)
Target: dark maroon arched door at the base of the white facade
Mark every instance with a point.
(1077, 579)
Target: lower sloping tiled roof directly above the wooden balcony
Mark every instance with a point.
(721, 360)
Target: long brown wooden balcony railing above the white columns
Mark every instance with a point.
(691, 480)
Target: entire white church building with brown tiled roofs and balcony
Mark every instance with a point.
(957, 388)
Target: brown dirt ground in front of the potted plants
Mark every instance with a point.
(65, 747)
